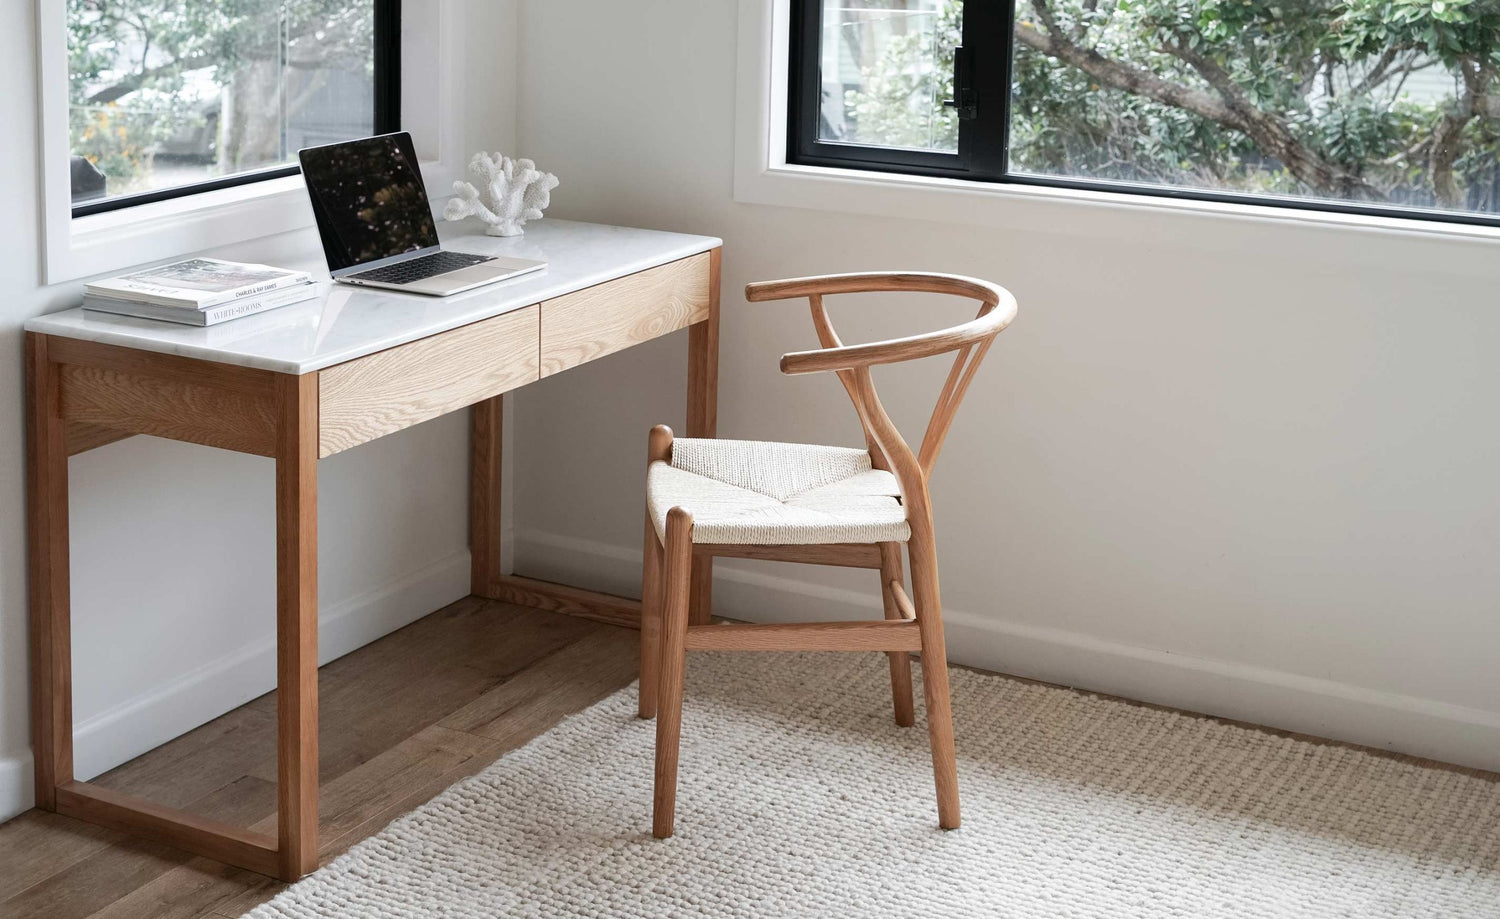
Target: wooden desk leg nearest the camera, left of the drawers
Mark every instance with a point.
(298, 626)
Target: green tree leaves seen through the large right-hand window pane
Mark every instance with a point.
(1337, 74)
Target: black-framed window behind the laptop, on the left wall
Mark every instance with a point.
(169, 98)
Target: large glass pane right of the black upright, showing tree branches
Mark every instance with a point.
(1366, 101)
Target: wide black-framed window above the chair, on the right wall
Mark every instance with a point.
(1387, 107)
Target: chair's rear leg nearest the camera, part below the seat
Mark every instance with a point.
(935, 681)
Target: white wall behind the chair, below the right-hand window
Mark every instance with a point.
(1234, 467)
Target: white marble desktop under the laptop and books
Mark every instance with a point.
(346, 323)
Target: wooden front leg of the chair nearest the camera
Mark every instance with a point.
(676, 591)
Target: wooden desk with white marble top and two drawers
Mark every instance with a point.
(310, 382)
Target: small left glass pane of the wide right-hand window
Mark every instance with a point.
(887, 70)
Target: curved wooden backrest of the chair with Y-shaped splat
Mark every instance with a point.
(853, 364)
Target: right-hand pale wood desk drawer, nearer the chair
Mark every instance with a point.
(619, 314)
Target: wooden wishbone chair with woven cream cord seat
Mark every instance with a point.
(824, 506)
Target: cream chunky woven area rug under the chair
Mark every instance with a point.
(799, 797)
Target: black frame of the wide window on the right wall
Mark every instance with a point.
(985, 140)
